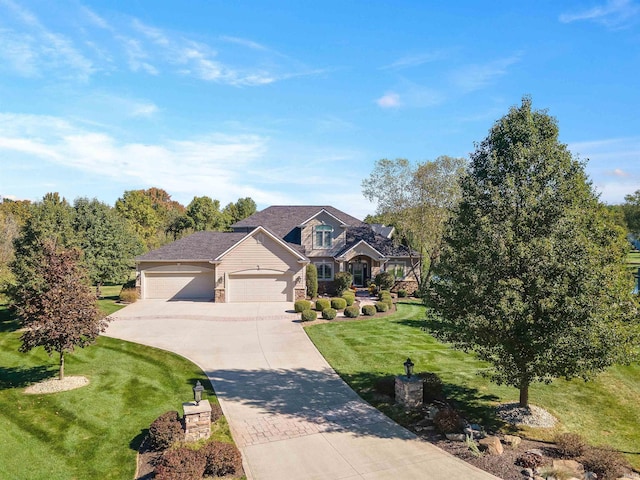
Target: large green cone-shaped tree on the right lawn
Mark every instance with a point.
(531, 277)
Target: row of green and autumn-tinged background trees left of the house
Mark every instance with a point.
(109, 237)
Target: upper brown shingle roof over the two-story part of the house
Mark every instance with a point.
(282, 219)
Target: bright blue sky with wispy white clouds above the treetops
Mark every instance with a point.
(292, 102)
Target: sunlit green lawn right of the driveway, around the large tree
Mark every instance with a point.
(604, 411)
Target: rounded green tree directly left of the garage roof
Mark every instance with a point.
(107, 240)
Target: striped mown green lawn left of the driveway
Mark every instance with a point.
(94, 431)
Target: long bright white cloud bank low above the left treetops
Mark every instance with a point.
(218, 160)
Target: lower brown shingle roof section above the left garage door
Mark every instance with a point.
(203, 246)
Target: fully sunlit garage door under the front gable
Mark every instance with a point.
(260, 288)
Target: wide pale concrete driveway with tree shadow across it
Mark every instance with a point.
(290, 414)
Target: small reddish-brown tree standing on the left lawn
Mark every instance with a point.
(56, 307)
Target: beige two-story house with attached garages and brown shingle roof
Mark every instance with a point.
(264, 259)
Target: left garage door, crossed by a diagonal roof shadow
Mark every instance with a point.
(179, 286)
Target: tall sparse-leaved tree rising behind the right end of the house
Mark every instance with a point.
(417, 200)
